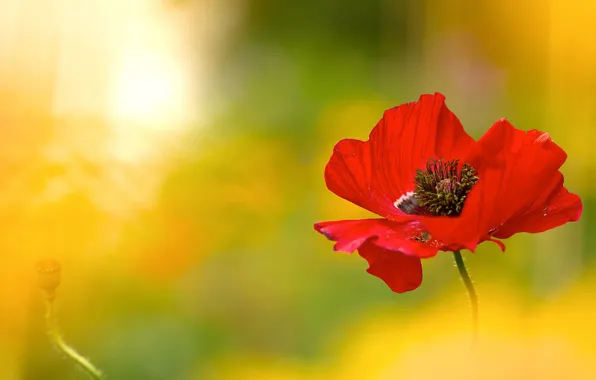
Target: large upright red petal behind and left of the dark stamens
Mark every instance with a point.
(375, 173)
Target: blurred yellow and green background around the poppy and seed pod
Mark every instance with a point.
(170, 154)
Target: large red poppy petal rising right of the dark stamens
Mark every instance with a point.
(516, 169)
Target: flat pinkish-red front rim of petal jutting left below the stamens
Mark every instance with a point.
(350, 235)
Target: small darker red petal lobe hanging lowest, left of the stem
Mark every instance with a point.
(400, 272)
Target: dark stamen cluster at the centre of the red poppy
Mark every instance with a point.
(441, 189)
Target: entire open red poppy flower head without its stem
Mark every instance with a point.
(437, 189)
